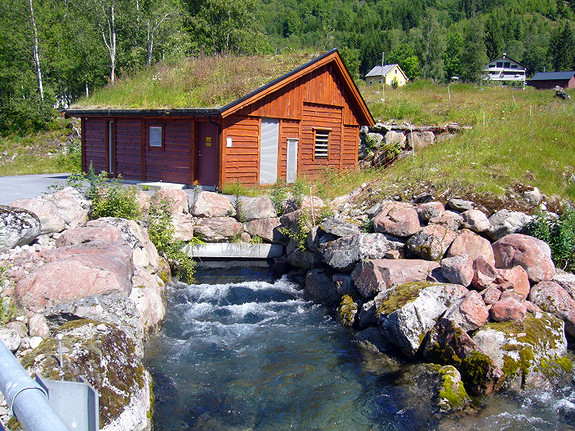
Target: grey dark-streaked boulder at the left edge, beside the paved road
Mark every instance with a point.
(18, 227)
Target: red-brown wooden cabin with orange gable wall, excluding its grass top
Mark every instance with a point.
(300, 123)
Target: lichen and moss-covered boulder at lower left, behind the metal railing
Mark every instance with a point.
(104, 356)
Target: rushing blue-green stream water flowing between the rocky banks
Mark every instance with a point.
(241, 351)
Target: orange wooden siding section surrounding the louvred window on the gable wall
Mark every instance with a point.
(320, 117)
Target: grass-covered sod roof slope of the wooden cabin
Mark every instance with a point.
(199, 82)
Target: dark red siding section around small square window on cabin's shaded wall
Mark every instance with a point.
(171, 163)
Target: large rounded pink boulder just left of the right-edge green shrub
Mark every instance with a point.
(531, 253)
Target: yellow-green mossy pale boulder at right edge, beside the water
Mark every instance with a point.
(528, 350)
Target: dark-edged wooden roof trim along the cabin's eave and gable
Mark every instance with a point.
(235, 105)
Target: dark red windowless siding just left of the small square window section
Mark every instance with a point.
(129, 148)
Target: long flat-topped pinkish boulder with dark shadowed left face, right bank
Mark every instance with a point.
(373, 276)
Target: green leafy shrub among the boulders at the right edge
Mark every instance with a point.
(559, 233)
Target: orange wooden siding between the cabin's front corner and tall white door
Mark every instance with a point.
(241, 161)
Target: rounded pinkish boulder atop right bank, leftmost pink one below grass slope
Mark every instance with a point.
(397, 218)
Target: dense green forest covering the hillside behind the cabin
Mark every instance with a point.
(53, 52)
